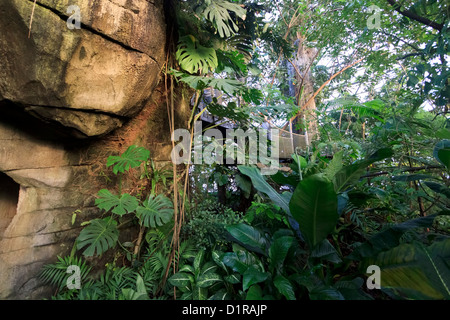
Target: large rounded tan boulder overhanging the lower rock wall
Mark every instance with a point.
(89, 79)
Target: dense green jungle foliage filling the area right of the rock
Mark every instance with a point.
(372, 188)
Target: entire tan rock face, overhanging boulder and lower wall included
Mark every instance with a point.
(98, 83)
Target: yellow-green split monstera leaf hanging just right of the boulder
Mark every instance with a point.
(193, 57)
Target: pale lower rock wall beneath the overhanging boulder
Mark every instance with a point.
(40, 228)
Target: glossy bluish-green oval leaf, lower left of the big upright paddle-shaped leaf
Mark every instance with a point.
(249, 237)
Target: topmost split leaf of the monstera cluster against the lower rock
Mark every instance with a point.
(131, 158)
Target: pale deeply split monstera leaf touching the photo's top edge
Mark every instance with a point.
(217, 13)
